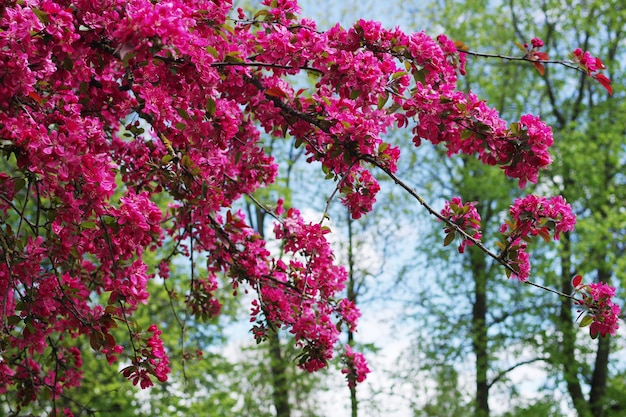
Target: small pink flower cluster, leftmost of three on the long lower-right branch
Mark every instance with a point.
(465, 217)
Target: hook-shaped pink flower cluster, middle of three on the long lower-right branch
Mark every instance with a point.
(533, 216)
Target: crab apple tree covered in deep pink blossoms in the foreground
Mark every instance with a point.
(108, 108)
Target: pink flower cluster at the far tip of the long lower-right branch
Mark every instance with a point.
(601, 314)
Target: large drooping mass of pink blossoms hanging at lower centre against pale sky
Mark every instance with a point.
(310, 279)
